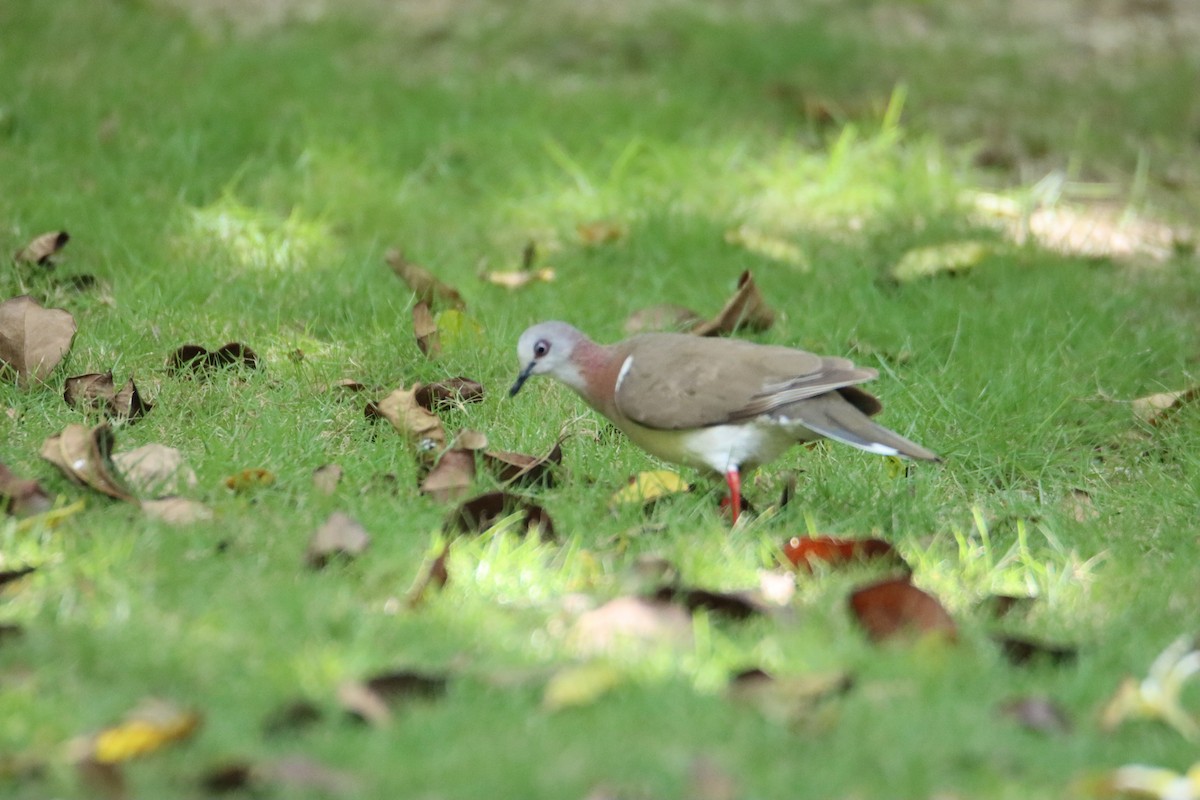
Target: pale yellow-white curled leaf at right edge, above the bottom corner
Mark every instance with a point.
(1159, 696)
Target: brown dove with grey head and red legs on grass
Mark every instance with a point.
(718, 405)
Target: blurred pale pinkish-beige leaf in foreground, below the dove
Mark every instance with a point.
(632, 622)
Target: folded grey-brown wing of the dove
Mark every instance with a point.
(676, 382)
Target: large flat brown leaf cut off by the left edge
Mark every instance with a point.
(34, 340)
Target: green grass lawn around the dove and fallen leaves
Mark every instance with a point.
(229, 188)
